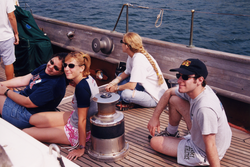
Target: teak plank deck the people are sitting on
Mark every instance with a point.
(140, 152)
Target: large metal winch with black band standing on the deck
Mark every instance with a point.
(107, 130)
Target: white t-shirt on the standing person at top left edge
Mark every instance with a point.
(6, 6)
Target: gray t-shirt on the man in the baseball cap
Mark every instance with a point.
(208, 117)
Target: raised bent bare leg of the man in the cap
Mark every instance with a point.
(179, 108)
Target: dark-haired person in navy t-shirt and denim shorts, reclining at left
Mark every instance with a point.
(45, 88)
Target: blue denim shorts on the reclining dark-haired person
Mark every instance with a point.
(15, 114)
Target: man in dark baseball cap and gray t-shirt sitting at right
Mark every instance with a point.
(195, 102)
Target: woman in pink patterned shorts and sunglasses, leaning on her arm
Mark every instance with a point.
(70, 127)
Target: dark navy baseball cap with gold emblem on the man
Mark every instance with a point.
(192, 66)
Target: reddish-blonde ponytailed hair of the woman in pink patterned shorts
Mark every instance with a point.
(82, 59)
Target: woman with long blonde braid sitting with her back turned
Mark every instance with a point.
(142, 82)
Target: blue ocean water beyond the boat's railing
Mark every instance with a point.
(222, 25)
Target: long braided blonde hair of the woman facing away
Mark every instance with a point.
(134, 42)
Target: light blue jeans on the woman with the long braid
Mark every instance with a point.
(137, 96)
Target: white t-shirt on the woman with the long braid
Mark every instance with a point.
(142, 72)
